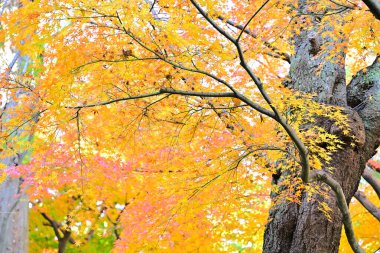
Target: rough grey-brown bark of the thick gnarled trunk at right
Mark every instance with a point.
(304, 228)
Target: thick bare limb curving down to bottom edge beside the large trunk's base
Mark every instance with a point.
(341, 200)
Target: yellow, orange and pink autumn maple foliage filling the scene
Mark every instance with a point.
(132, 139)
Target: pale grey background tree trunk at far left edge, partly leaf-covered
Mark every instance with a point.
(13, 202)
